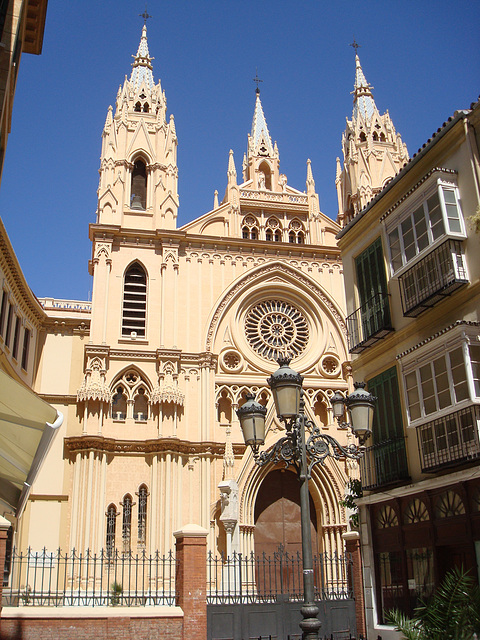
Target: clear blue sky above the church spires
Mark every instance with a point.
(421, 57)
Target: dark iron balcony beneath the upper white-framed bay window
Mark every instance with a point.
(439, 274)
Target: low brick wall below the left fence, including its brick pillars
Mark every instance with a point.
(187, 620)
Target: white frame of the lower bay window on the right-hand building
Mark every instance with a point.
(459, 336)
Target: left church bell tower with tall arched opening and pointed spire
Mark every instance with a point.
(138, 167)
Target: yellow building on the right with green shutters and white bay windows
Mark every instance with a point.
(412, 281)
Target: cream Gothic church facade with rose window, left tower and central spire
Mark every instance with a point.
(183, 323)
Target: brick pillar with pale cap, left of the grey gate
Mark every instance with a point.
(191, 580)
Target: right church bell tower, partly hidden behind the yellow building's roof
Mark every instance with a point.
(373, 151)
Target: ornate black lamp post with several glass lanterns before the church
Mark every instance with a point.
(303, 454)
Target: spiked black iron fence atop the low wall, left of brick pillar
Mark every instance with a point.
(59, 579)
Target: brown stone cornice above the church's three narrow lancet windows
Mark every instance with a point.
(76, 444)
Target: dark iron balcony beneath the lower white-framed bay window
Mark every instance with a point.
(450, 440)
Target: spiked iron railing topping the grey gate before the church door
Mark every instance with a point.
(268, 578)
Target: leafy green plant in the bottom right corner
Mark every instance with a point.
(452, 613)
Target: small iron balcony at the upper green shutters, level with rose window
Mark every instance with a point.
(369, 323)
